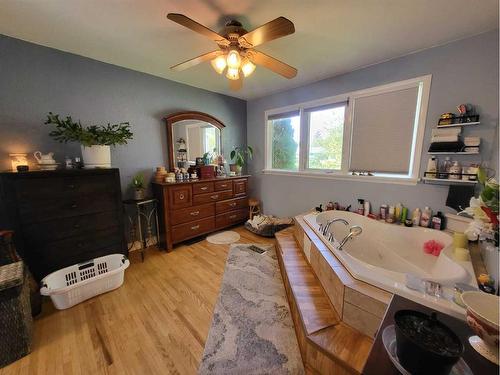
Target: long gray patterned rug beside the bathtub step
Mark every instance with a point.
(252, 331)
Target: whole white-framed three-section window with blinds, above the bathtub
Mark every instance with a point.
(378, 130)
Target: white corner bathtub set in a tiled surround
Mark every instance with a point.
(384, 254)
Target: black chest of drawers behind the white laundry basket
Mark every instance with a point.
(64, 217)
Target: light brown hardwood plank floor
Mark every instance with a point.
(156, 323)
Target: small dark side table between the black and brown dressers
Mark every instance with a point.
(144, 210)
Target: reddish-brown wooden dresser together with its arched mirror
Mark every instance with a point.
(188, 209)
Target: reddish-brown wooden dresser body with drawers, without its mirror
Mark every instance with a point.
(190, 209)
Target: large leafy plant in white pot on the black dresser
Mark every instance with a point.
(95, 140)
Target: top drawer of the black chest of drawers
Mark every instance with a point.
(40, 189)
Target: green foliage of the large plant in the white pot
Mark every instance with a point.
(68, 130)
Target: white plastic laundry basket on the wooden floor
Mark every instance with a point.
(74, 284)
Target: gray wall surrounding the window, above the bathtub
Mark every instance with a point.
(462, 72)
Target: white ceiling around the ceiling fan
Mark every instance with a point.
(332, 36)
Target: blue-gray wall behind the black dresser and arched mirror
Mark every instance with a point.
(35, 80)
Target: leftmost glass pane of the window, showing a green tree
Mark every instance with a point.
(284, 131)
